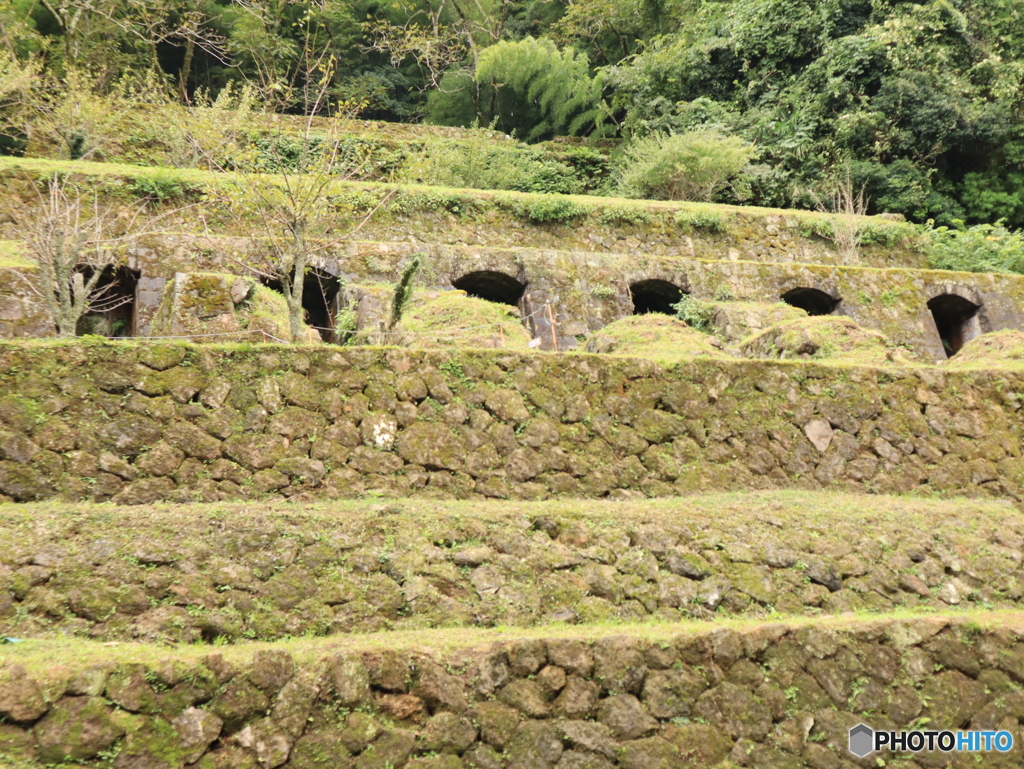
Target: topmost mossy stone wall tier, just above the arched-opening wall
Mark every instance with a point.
(488, 219)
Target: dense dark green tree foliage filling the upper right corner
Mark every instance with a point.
(921, 101)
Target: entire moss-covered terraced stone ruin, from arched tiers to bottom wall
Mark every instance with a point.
(619, 491)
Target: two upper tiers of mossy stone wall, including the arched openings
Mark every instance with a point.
(568, 280)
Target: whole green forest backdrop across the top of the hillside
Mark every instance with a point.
(920, 103)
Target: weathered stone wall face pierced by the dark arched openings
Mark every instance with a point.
(587, 290)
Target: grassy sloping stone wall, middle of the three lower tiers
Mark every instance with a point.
(230, 573)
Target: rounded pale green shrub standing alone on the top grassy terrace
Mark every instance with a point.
(694, 166)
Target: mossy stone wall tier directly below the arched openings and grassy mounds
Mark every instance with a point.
(141, 423)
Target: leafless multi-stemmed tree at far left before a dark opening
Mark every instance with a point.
(72, 241)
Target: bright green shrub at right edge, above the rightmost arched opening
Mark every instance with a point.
(983, 248)
